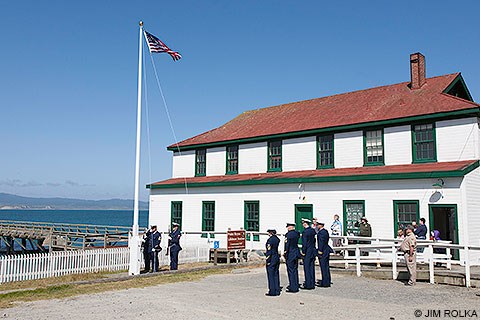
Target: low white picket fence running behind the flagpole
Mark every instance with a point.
(45, 265)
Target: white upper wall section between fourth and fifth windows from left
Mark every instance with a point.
(348, 149)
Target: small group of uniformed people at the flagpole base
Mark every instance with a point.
(151, 247)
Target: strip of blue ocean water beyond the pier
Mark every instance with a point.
(93, 217)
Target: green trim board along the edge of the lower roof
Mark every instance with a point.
(363, 177)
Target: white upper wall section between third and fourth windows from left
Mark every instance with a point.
(299, 154)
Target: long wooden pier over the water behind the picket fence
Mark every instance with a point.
(25, 236)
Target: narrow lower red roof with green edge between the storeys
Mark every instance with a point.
(423, 170)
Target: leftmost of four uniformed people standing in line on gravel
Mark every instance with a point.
(273, 263)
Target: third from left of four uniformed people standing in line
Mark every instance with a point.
(309, 254)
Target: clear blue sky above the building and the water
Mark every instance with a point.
(68, 75)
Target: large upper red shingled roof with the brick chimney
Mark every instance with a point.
(375, 104)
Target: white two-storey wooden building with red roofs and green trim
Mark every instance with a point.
(393, 154)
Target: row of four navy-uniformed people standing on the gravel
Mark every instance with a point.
(309, 252)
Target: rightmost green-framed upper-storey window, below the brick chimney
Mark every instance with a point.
(423, 142)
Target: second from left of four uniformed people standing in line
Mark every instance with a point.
(291, 254)
